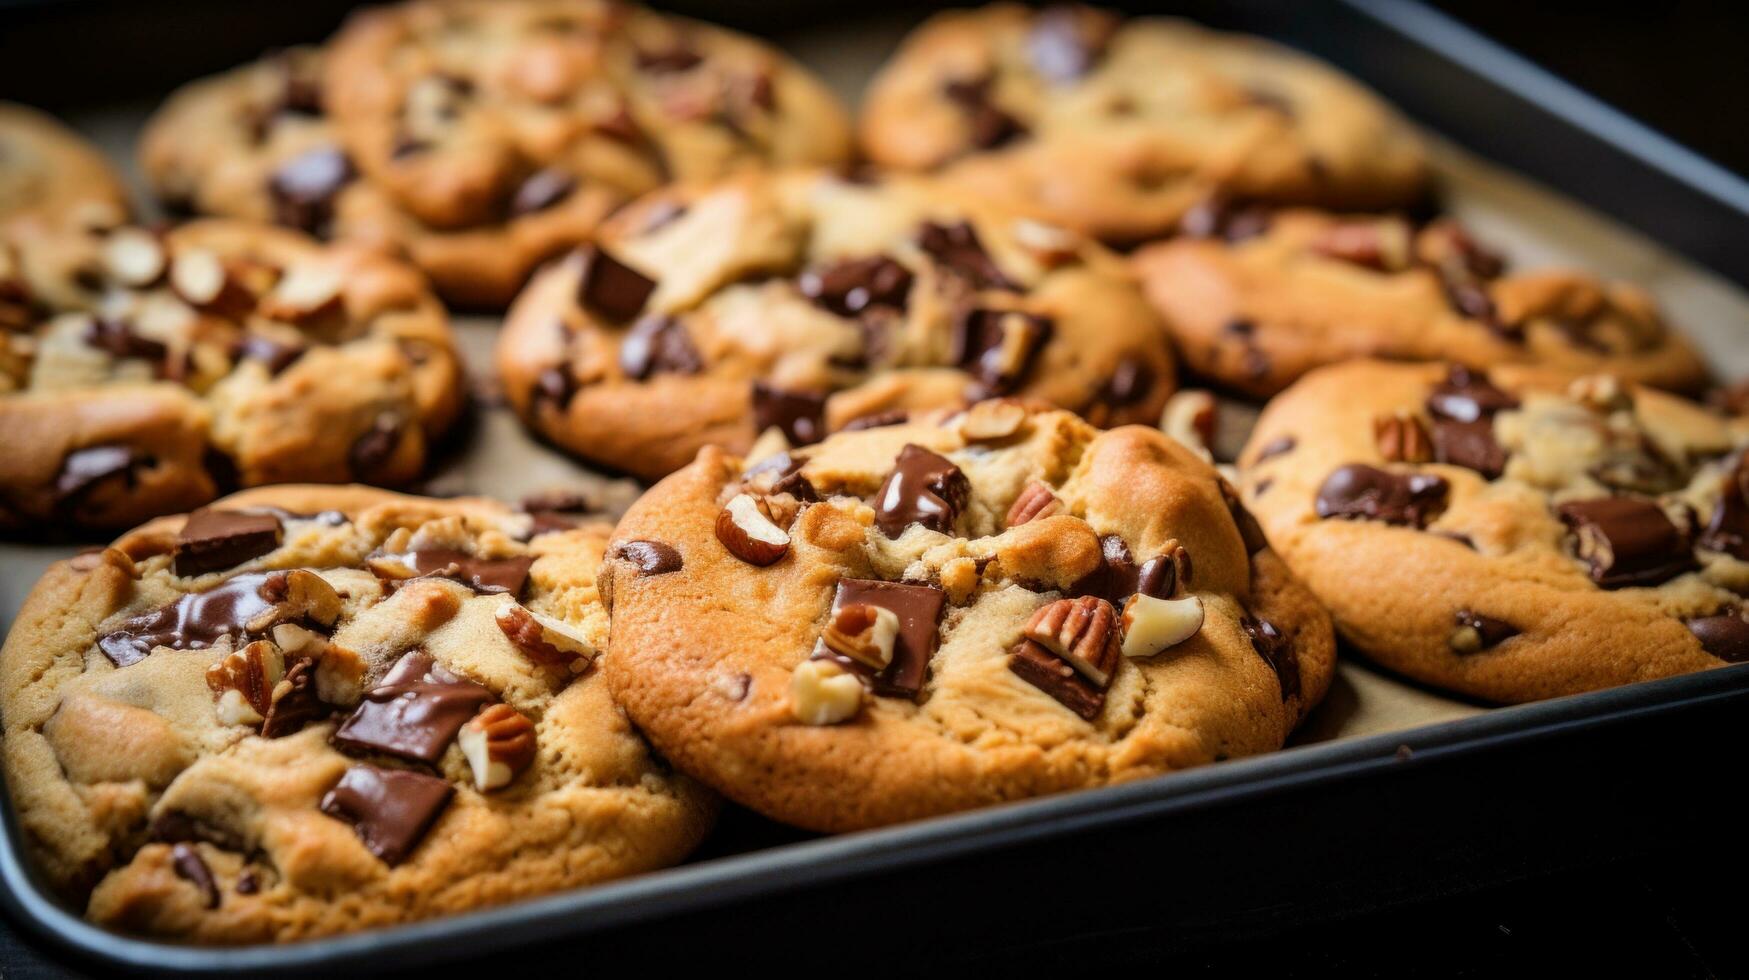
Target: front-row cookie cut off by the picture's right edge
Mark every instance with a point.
(1510, 536)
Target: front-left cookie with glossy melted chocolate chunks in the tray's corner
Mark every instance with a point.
(319, 710)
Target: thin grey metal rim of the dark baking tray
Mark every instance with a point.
(690, 888)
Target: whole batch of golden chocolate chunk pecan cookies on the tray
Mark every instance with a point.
(930, 521)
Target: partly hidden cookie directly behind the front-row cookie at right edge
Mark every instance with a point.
(1257, 298)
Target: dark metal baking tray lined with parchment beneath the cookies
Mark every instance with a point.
(1390, 794)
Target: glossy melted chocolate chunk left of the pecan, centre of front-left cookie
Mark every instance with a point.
(414, 713)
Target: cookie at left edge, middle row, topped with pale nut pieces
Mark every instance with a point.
(146, 374)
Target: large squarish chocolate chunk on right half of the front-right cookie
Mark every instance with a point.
(1627, 542)
